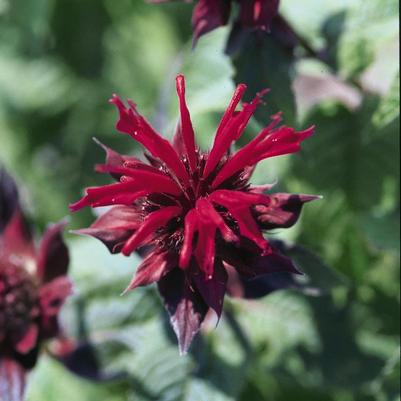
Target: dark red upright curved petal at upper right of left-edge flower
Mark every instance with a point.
(53, 255)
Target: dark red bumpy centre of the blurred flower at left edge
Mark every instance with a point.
(18, 301)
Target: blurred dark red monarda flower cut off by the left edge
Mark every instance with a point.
(33, 287)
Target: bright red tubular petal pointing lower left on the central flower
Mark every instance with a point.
(151, 223)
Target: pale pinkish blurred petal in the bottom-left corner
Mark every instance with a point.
(12, 380)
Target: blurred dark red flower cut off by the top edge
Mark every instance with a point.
(210, 14)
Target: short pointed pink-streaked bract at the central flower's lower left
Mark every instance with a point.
(152, 269)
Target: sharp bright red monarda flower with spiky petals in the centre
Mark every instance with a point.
(194, 213)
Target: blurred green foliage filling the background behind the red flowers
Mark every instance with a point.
(60, 60)
